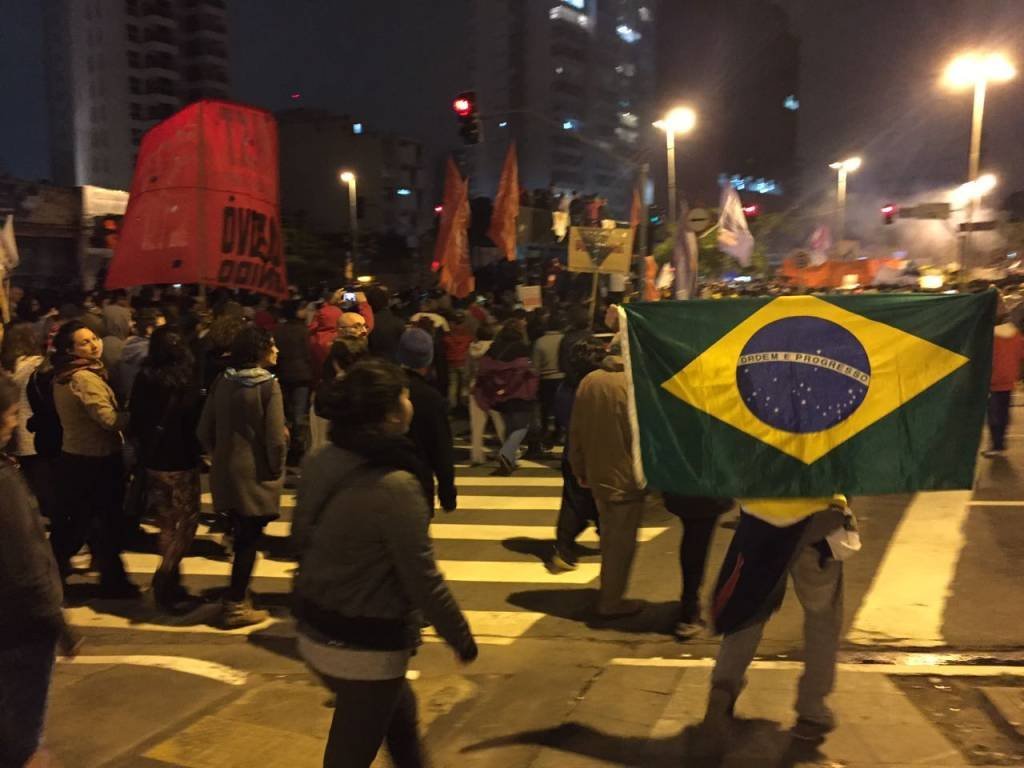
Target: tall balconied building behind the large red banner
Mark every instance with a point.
(115, 68)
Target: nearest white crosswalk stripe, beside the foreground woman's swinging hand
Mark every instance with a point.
(490, 627)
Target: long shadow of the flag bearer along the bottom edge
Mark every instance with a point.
(759, 744)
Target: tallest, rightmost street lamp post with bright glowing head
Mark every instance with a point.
(977, 71)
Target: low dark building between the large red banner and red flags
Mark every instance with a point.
(317, 146)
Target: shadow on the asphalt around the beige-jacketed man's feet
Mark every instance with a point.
(578, 606)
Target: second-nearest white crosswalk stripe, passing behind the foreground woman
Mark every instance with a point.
(455, 571)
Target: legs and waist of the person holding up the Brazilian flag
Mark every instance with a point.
(776, 539)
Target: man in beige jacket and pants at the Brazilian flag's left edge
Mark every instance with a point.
(602, 456)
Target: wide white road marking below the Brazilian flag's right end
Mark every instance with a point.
(908, 598)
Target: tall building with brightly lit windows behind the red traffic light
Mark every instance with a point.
(573, 83)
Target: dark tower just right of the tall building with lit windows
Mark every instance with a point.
(738, 65)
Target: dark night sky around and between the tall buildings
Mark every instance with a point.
(871, 72)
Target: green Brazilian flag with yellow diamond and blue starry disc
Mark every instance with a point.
(809, 396)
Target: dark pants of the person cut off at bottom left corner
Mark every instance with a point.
(25, 681)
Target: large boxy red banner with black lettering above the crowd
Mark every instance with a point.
(204, 203)
